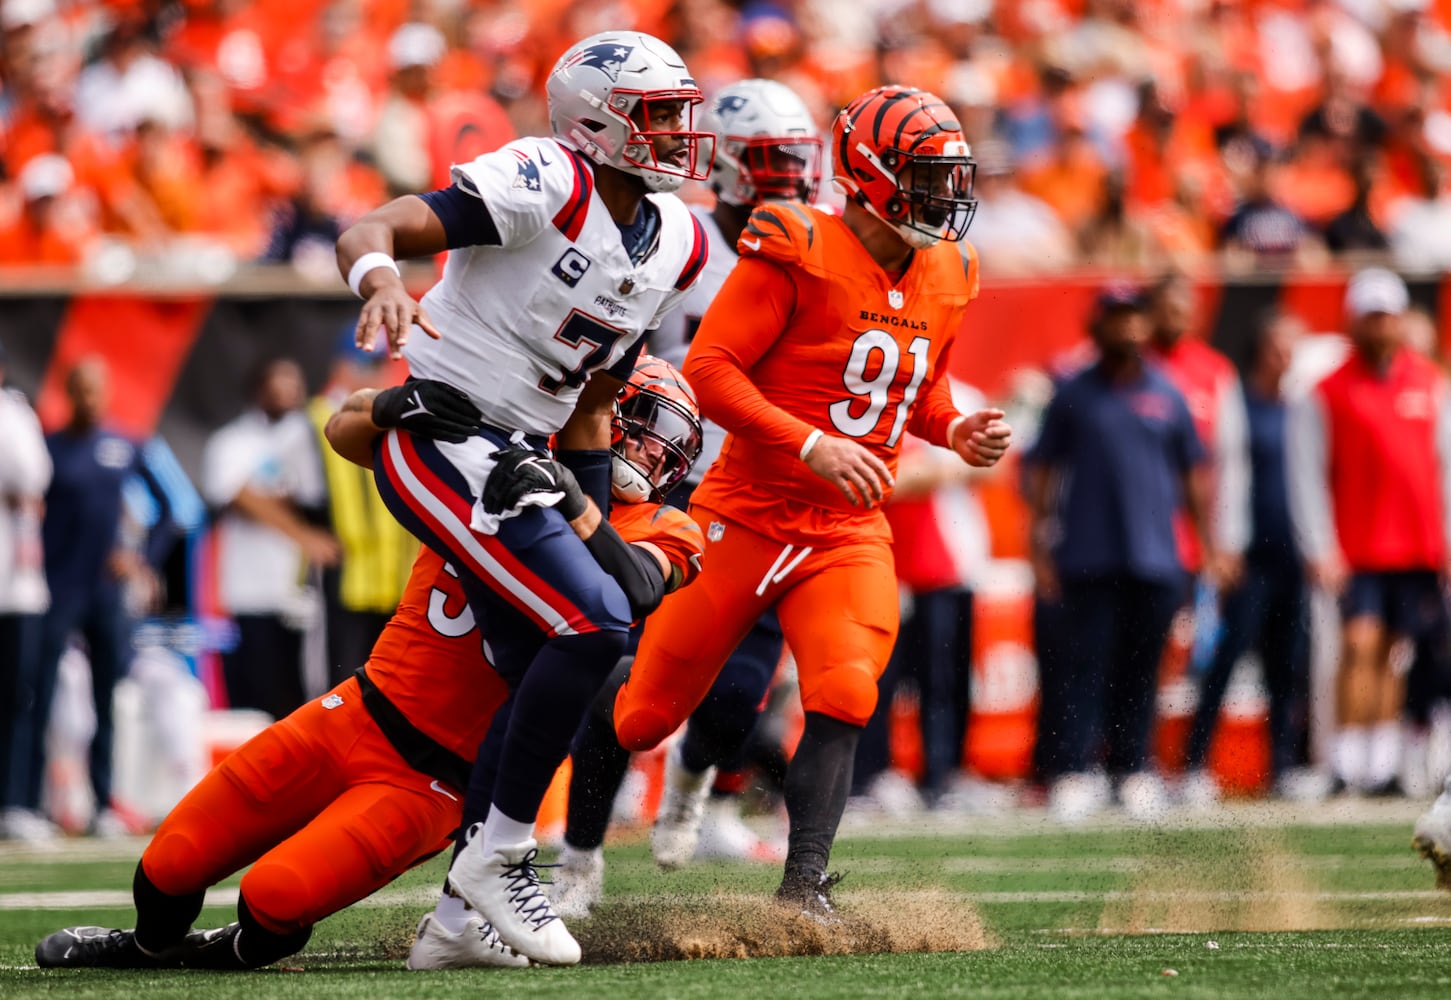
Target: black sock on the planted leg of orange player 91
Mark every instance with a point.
(818, 784)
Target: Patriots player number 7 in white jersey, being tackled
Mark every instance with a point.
(565, 252)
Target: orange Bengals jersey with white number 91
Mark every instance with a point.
(810, 333)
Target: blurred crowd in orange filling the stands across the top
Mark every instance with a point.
(1118, 134)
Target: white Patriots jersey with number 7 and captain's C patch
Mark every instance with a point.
(526, 324)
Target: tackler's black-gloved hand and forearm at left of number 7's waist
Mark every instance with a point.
(420, 406)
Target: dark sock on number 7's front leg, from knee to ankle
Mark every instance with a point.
(549, 706)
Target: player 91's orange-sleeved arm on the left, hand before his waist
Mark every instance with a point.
(748, 316)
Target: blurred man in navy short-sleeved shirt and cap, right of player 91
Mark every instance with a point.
(1117, 456)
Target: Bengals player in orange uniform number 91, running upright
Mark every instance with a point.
(825, 346)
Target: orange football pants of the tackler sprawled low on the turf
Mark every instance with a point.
(323, 805)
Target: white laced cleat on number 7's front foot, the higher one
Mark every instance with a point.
(504, 888)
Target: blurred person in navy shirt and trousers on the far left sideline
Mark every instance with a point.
(89, 568)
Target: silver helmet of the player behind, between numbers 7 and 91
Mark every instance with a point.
(767, 146)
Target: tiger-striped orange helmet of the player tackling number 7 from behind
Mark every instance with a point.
(655, 433)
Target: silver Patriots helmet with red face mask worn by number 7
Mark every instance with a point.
(614, 94)
